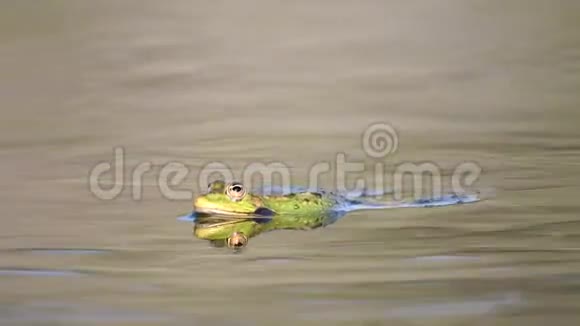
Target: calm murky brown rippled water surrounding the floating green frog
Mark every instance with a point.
(493, 82)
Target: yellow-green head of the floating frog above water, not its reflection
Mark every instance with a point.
(227, 200)
